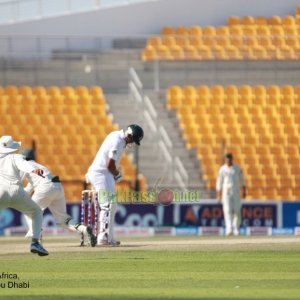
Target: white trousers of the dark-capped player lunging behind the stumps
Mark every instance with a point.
(51, 195)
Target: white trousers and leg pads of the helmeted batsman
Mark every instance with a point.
(104, 181)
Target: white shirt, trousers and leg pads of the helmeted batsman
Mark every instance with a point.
(101, 179)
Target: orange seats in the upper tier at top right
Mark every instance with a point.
(250, 38)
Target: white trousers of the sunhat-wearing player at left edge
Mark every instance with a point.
(14, 196)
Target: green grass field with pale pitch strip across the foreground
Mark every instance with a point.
(155, 268)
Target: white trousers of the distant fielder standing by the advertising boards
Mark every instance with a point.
(232, 212)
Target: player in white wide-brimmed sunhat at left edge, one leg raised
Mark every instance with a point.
(12, 194)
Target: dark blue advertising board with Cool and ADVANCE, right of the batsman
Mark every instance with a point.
(206, 214)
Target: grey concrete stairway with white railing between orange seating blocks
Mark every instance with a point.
(125, 111)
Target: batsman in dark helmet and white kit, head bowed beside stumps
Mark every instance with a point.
(104, 173)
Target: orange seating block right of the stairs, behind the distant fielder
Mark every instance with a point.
(259, 125)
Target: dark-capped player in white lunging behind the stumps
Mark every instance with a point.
(49, 192)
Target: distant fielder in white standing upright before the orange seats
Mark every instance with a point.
(230, 180)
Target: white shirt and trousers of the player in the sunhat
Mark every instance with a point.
(12, 193)
